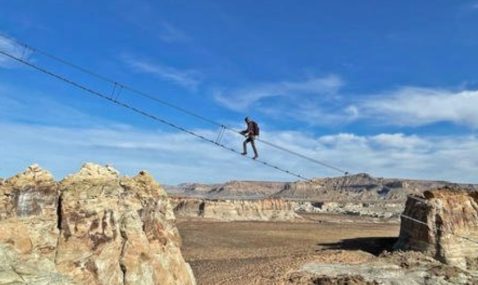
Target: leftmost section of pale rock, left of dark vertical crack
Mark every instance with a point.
(29, 229)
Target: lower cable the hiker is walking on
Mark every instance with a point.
(139, 111)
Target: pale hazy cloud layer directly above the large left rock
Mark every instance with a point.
(172, 157)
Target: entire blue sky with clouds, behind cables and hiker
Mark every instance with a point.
(384, 87)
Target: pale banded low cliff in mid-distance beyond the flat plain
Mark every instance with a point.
(236, 210)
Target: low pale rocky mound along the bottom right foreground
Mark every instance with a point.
(398, 268)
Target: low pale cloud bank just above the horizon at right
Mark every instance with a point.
(437, 158)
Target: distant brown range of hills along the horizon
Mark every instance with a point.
(353, 188)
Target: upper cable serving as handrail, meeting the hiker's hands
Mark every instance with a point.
(165, 103)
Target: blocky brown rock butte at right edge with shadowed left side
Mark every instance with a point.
(444, 225)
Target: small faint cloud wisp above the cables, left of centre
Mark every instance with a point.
(189, 79)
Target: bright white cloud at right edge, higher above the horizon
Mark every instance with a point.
(412, 106)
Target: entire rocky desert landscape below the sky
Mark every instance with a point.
(99, 227)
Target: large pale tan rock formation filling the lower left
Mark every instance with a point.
(94, 227)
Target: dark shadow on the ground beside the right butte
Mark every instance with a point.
(373, 245)
